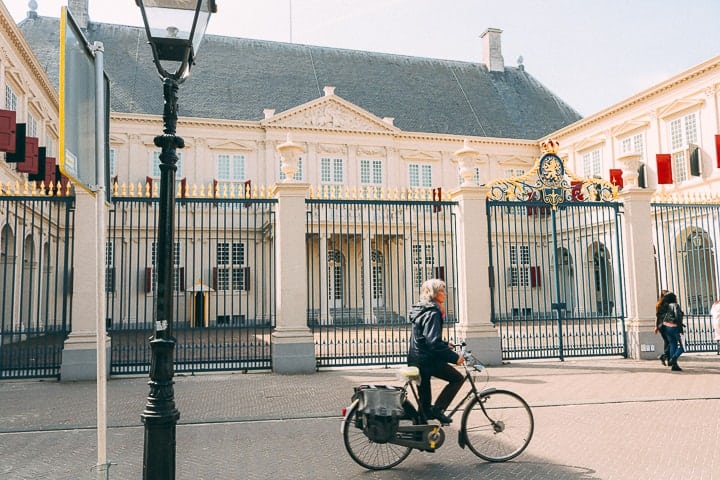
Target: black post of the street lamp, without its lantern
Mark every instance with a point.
(160, 415)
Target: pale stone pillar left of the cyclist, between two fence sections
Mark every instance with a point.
(293, 346)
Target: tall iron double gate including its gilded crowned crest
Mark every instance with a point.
(556, 261)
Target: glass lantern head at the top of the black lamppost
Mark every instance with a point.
(175, 29)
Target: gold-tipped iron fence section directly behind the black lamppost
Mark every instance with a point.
(224, 281)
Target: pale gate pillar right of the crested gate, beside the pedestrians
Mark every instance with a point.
(641, 290)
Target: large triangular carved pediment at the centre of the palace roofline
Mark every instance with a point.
(330, 113)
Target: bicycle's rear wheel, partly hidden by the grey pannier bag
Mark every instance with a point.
(369, 454)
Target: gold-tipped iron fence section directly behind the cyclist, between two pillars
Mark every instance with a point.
(367, 257)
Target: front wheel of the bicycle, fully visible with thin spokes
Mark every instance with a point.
(499, 429)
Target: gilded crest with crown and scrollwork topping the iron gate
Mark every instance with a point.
(551, 182)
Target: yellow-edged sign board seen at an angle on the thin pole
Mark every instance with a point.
(78, 102)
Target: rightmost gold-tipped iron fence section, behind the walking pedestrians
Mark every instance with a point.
(687, 235)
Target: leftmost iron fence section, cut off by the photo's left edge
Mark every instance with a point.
(36, 248)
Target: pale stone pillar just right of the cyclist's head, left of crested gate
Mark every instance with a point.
(475, 326)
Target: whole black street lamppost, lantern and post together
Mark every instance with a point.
(174, 29)
